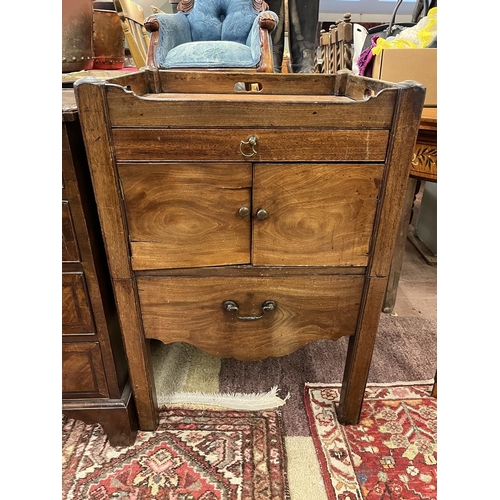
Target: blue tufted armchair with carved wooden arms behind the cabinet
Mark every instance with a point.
(213, 34)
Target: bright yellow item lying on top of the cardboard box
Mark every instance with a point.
(416, 37)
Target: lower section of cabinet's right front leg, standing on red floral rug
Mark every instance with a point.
(359, 353)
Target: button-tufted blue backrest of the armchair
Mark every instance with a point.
(227, 20)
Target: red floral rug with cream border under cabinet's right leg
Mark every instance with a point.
(390, 455)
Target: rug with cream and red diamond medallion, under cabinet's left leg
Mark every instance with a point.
(195, 454)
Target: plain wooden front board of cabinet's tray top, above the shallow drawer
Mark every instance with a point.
(248, 110)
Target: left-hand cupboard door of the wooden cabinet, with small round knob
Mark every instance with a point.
(187, 215)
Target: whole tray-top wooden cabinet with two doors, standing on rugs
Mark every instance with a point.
(249, 223)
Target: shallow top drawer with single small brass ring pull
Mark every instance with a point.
(138, 144)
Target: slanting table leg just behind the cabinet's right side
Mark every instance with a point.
(399, 249)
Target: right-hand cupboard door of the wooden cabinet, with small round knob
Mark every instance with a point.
(314, 214)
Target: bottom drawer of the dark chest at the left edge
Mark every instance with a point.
(83, 371)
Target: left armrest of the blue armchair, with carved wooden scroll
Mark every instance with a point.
(167, 31)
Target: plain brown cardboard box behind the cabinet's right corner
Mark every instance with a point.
(420, 65)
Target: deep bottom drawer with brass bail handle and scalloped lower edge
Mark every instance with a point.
(249, 318)
